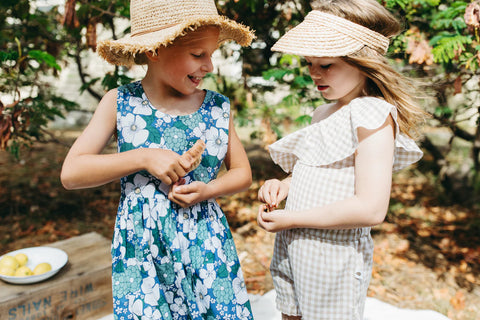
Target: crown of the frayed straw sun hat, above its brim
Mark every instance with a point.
(153, 15)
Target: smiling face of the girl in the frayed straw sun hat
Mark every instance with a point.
(181, 66)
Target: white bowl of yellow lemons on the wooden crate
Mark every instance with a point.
(31, 265)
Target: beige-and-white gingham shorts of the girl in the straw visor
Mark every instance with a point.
(320, 276)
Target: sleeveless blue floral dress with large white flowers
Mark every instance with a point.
(171, 262)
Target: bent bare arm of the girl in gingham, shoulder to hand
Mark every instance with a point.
(368, 207)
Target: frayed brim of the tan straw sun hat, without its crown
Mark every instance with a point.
(124, 51)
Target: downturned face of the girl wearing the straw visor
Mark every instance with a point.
(336, 79)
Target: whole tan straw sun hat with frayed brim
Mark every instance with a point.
(156, 23)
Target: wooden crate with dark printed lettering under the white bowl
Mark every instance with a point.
(82, 290)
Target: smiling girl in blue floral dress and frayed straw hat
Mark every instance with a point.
(172, 250)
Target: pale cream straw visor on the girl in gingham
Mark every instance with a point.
(326, 35)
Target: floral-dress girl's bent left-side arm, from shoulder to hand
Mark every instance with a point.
(85, 166)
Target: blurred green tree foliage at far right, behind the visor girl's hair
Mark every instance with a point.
(441, 46)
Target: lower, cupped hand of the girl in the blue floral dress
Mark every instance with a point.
(187, 195)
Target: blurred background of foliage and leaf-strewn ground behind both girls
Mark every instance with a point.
(433, 225)
